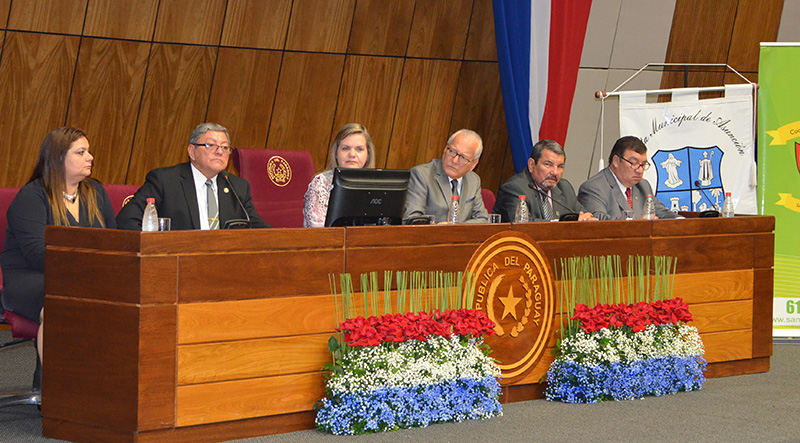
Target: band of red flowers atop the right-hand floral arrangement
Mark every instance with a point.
(637, 316)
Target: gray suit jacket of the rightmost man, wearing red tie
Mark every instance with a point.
(601, 196)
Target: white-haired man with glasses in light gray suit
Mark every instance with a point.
(433, 184)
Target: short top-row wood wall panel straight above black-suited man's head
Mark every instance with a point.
(190, 21)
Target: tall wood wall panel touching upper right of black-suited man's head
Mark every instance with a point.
(244, 93)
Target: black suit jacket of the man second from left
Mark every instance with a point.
(176, 198)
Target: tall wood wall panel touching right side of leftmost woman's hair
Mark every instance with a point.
(105, 101)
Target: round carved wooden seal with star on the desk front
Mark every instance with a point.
(515, 288)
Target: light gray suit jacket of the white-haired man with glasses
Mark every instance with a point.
(429, 194)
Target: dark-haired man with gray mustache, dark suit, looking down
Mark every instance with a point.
(546, 193)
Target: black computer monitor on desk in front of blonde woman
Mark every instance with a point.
(367, 197)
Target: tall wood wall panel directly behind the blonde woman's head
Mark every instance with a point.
(368, 95)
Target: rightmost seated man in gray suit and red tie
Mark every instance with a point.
(620, 185)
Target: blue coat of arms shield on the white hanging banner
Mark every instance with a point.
(683, 172)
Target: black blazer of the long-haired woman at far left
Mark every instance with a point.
(23, 252)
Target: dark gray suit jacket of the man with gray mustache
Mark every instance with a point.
(508, 197)
